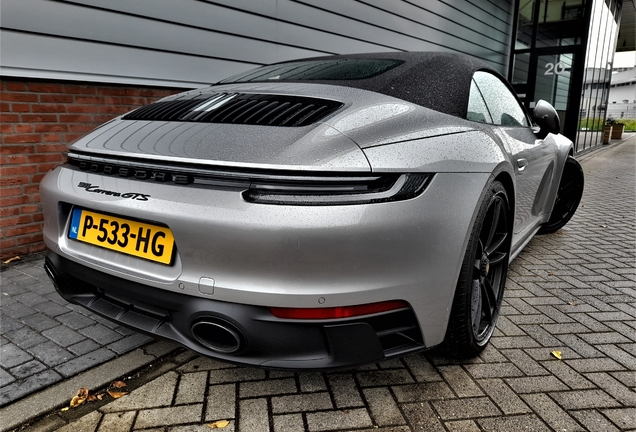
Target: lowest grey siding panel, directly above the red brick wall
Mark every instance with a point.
(133, 65)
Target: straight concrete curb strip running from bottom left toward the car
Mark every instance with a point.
(55, 396)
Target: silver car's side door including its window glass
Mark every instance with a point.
(532, 158)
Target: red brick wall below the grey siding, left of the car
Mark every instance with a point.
(38, 119)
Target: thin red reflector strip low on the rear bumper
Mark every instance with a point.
(338, 312)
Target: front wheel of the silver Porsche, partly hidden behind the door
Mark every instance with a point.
(568, 197)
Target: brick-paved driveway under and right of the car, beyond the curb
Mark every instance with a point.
(573, 291)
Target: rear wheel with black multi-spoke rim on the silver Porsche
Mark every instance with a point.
(482, 278)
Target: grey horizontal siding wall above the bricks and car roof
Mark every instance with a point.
(194, 42)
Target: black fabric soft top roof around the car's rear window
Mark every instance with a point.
(435, 80)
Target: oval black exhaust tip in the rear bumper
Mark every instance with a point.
(218, 335)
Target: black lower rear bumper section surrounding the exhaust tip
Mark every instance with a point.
(262, 339)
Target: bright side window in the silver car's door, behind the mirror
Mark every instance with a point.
(501, 103)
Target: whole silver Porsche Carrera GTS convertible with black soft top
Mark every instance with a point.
(312, 214)
